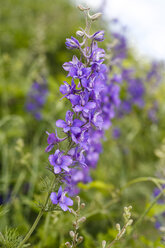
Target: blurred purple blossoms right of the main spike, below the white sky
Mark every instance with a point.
(134, 85)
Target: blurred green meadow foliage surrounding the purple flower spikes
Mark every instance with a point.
(32, 42)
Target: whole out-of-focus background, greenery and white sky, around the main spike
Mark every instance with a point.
(32, 48)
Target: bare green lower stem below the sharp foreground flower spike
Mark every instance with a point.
(37, 219)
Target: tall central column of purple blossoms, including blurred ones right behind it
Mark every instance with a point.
(93, 99)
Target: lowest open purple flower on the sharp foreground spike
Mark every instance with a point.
(61, 199)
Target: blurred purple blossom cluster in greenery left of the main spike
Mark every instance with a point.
(36, 98)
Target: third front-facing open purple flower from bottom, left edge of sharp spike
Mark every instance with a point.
(74, 126)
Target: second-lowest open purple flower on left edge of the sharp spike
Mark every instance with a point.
(60, 161)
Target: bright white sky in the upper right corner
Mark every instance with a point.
(145, 22)
